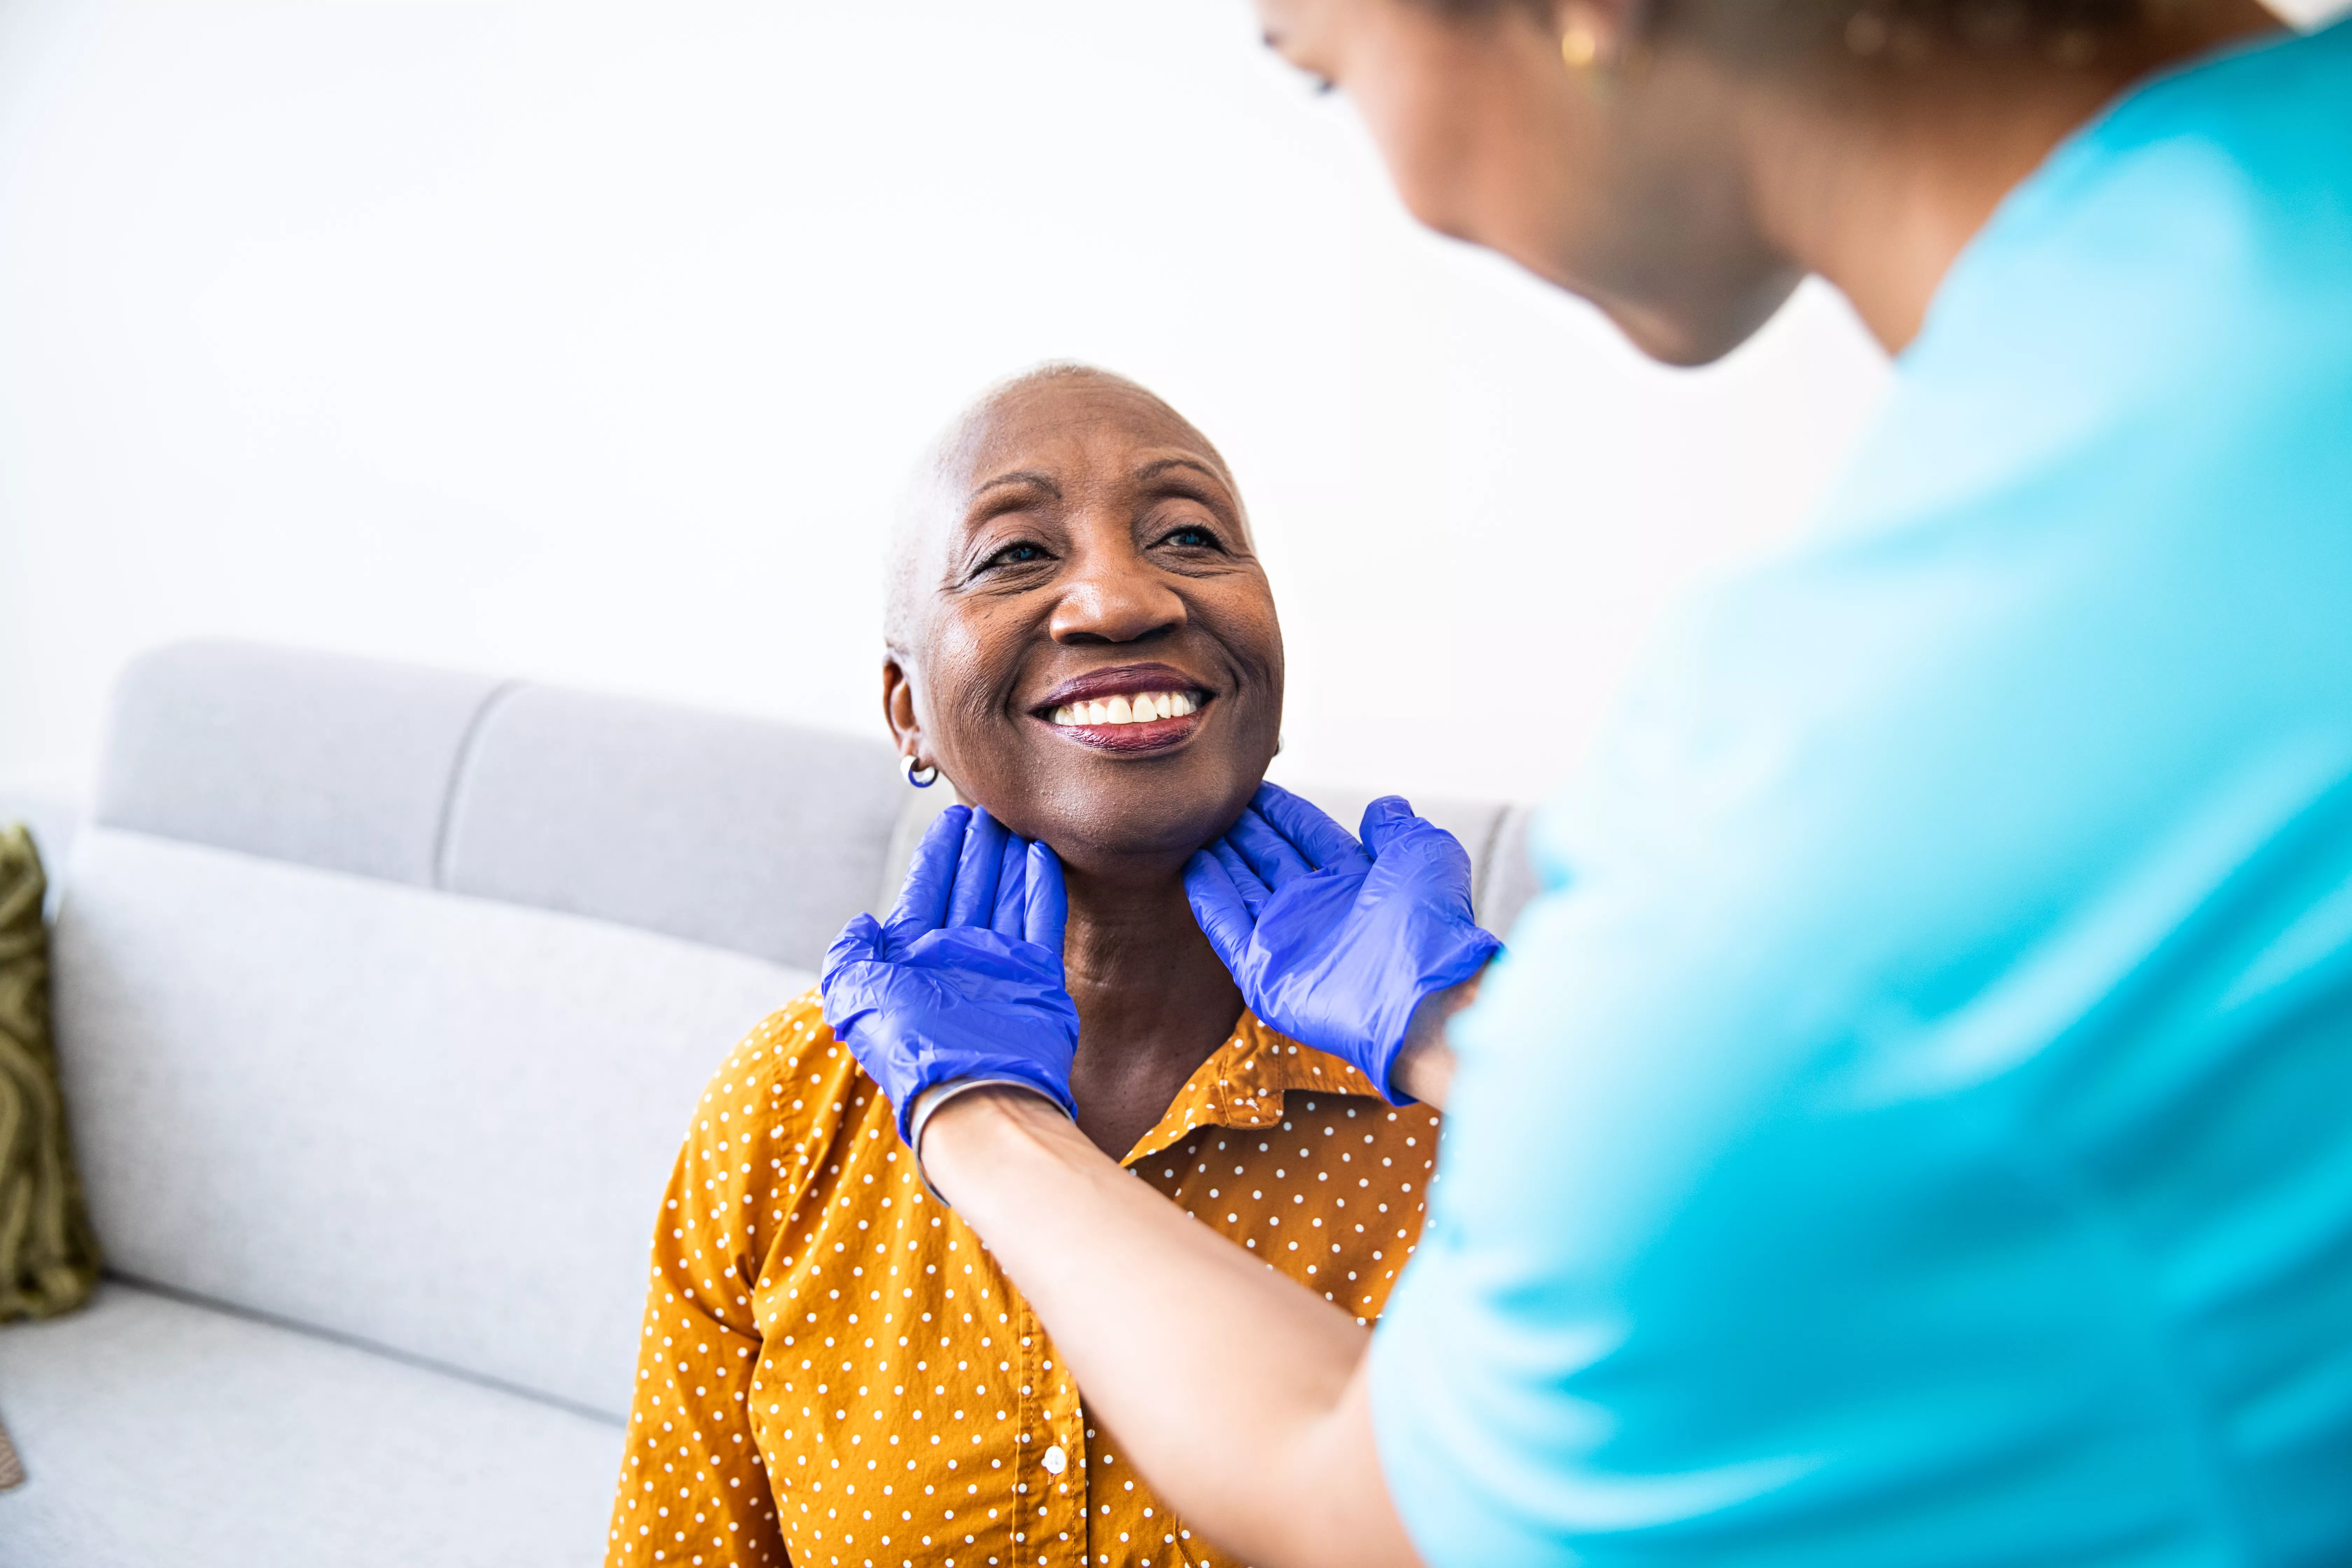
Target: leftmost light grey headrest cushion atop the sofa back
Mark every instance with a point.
(338, 763)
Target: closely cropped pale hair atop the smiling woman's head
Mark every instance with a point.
(982, 436)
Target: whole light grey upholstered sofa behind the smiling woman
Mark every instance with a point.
(382, 1000)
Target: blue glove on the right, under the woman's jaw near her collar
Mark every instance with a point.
(1335, 942)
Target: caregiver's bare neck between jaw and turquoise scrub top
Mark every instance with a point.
(1883, 189)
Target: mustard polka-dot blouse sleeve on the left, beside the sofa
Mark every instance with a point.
(693, 1482)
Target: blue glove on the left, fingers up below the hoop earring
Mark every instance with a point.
(963, 981)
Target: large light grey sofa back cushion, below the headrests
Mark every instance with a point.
(429, 1123)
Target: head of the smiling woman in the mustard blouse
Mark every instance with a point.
(1088, 643)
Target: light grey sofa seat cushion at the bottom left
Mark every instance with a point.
(166, 1433)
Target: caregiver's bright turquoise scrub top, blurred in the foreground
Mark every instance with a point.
(1916, 1125)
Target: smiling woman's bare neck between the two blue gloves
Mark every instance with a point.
(1154, 1003)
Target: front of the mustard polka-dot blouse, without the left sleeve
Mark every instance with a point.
(909, 1405)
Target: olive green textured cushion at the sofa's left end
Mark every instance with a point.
(48, 1254)
